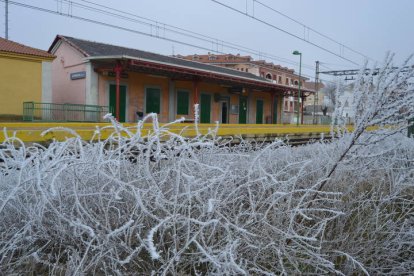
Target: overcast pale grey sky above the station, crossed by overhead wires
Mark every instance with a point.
(370, 27)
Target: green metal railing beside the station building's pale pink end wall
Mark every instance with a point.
(50, 112)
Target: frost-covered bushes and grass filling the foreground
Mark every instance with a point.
(164, 204)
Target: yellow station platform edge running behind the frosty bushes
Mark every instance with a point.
(30, 132)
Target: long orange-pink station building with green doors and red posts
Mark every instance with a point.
(136, 82)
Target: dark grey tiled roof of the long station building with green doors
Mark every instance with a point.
(95, 49)
